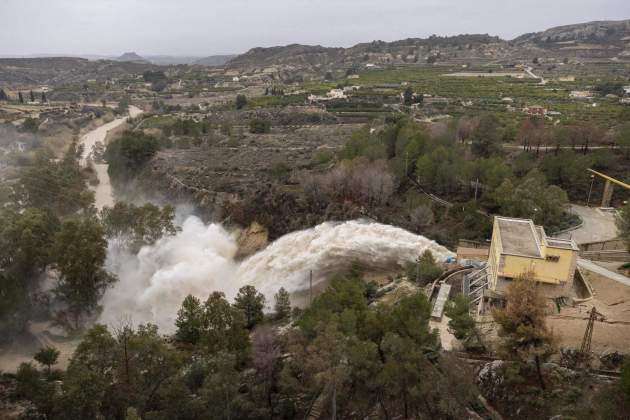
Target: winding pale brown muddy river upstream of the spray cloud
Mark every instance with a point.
(103, 192)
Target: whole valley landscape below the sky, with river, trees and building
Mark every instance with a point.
(424, 228)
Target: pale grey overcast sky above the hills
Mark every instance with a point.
(206, 27)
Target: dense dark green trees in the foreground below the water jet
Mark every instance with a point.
(343, 357)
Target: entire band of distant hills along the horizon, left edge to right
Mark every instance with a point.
(592, 41)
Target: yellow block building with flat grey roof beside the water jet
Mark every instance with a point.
(519, 247)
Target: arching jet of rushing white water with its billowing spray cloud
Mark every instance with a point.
(200, 260)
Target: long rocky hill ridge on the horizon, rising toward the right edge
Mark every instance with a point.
(603, 40)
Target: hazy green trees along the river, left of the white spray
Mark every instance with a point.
(50, 224)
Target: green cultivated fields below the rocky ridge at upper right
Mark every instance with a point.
(486, 92)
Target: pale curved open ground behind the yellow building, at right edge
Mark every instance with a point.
(598, 225)
